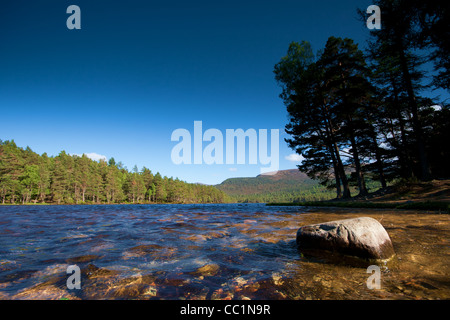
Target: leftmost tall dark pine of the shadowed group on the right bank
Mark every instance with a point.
(311, 124)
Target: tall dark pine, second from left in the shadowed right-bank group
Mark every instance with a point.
(346, 77)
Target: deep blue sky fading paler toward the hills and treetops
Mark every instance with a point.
(138, 70)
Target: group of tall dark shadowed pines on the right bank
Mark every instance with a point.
(354, 114)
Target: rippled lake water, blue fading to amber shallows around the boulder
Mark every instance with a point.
(231, 251)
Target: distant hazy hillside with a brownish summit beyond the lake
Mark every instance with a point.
(285, 185)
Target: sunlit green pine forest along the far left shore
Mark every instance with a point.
(27, 177)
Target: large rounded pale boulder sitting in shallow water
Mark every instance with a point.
(361, 237)
